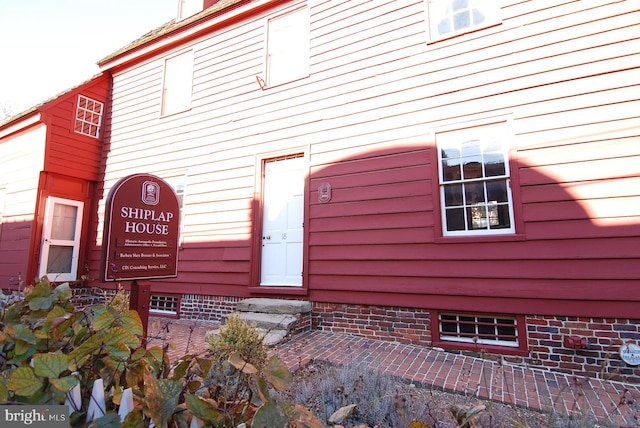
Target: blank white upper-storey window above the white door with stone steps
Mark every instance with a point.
(288, 47)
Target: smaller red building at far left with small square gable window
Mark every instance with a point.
(50, 159)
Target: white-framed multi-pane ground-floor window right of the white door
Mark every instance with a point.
(475, 192)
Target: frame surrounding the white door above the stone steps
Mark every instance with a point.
(258, 210)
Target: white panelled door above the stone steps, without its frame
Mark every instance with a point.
(282, 222)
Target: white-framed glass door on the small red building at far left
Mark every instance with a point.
(61, 239)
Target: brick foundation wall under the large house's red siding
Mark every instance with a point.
(545, 334)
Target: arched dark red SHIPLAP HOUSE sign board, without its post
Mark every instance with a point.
(141, 230)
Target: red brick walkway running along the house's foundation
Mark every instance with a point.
(612, 402)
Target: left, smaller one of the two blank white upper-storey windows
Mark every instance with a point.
(178, 83)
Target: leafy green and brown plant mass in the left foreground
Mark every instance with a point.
(47, 348)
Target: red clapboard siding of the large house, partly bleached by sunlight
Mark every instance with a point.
(561, 75)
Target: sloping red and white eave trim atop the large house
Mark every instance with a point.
(177, 32)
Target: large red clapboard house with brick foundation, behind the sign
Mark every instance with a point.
(460, 174)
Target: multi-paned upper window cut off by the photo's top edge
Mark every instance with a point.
(450, 17)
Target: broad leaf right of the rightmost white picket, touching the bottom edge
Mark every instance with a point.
(161, 397)
